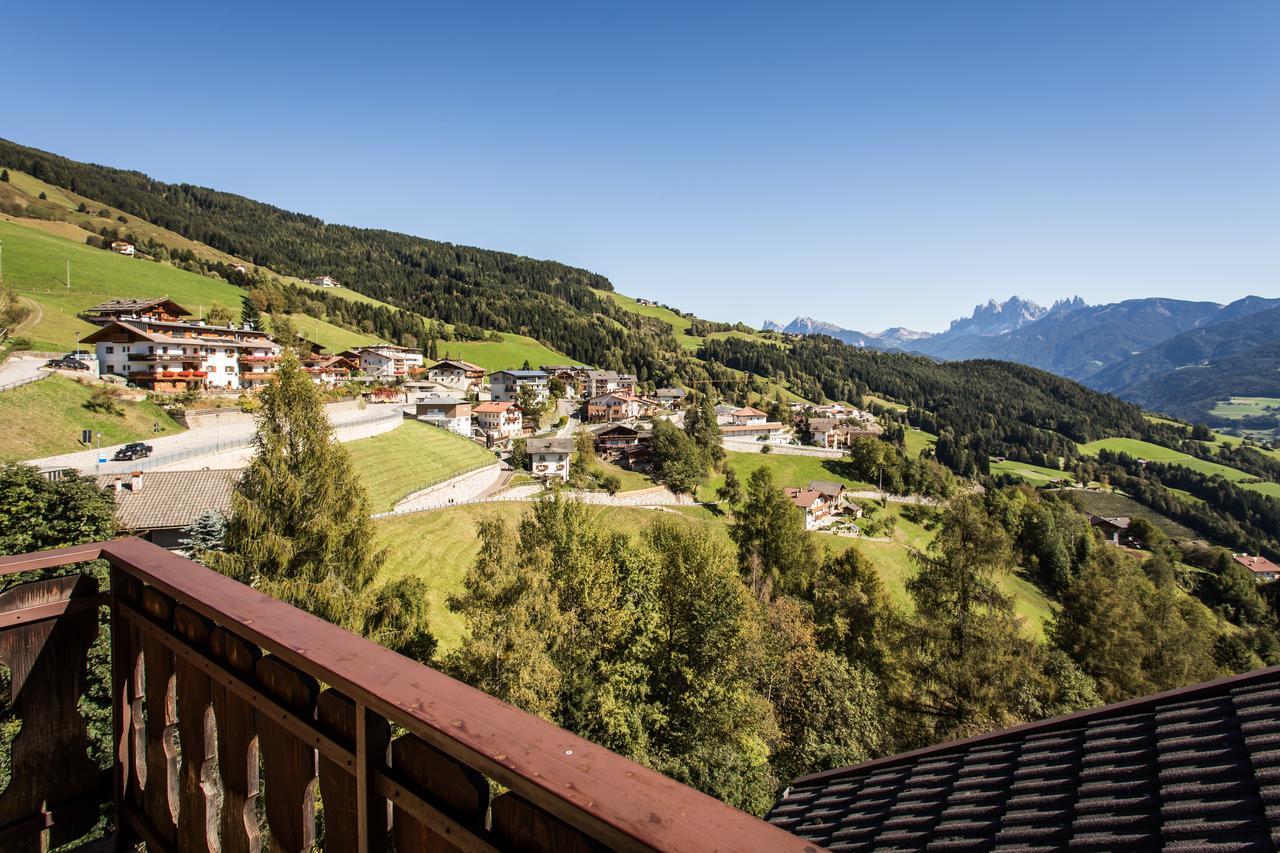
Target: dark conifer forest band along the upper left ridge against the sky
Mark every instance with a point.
(458, 285)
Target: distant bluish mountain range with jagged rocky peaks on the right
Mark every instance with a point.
(1171, 355)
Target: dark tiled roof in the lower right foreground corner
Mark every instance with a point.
(1196, 769)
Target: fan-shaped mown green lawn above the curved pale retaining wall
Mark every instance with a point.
(412, 458)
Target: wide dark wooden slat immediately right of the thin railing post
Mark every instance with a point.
(444, 782)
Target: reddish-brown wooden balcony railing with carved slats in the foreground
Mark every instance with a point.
(235, 713)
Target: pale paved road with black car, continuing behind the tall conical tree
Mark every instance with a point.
(218, 446)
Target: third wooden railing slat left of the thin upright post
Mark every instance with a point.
(237, 747)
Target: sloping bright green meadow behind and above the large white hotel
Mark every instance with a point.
(35, 264)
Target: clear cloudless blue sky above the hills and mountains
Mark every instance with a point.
(867, 163)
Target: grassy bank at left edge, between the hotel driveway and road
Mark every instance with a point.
(45, 419)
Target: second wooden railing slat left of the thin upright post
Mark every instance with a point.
(289, 763)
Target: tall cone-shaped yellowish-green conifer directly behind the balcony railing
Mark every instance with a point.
(300, 528)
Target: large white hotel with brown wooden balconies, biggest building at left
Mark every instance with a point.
(140, 341)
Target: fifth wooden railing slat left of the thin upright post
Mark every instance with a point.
(161, 792)
